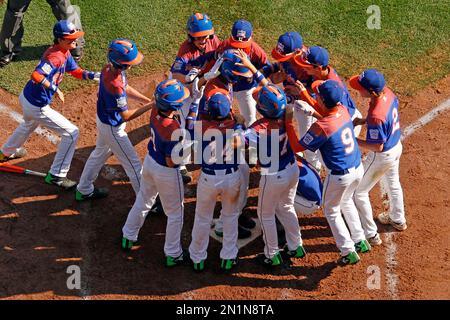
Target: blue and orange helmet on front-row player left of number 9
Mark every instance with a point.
(270, 101)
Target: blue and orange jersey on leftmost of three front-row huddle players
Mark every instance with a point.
(161, 145)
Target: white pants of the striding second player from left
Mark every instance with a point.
(111, 140)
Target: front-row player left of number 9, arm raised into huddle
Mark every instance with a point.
(279, 172)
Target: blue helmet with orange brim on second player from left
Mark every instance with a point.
(123, 52)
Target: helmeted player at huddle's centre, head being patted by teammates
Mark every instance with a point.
(223, 75)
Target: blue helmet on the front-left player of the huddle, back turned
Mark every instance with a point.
(170, 94)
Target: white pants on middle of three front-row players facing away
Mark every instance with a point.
(208, 189)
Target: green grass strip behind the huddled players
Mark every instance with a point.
(412, 48)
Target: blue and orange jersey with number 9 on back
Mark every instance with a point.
(333, 135)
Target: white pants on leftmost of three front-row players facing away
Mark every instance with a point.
(167, 182)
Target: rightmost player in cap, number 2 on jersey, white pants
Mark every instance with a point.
(385, 149)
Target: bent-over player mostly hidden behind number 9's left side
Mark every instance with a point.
(308, 198)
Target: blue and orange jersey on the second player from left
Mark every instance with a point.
(112, 96)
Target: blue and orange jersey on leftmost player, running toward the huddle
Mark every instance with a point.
(53, 64)
